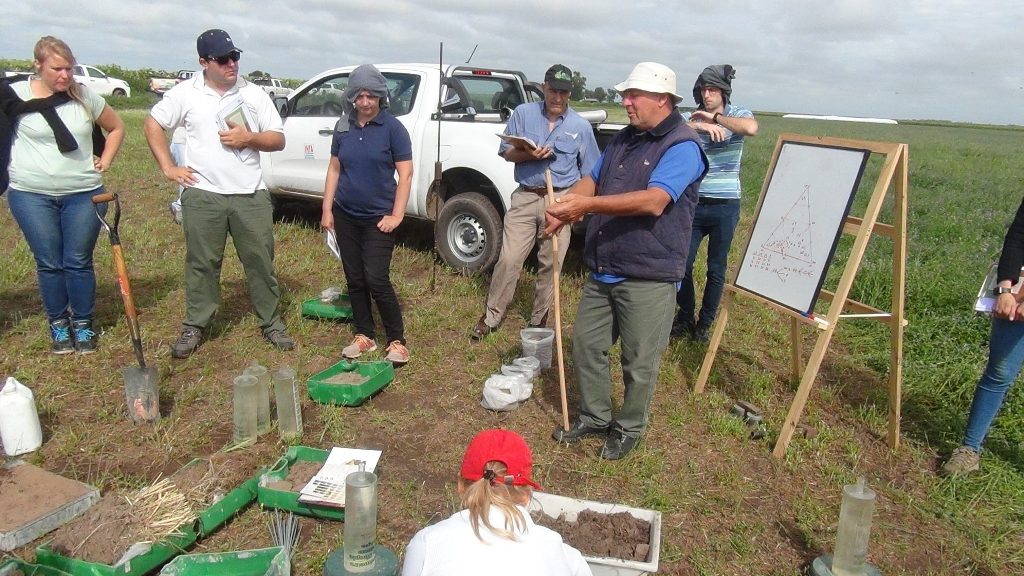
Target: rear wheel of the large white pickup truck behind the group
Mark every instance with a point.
(468, 233)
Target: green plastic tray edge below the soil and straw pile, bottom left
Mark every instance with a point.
(144, 564)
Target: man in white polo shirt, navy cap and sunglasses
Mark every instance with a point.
(228, 124)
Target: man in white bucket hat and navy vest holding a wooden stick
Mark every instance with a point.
(642, 195)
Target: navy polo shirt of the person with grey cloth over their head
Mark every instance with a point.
(368, 156)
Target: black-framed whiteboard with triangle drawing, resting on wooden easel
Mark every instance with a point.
(799, 223)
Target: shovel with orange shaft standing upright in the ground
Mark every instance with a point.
(141, 384)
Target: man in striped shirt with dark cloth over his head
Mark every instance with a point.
(722, 128)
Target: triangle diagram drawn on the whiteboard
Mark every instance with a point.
(790, 249)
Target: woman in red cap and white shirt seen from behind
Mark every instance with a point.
(495, 487)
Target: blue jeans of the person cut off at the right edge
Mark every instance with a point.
(1006, 354)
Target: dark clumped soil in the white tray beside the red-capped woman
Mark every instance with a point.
(619, 536)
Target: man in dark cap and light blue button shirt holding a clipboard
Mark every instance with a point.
(566, 144)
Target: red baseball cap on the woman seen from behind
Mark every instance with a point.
(504, 446)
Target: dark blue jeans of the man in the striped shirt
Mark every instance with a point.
(718, 223)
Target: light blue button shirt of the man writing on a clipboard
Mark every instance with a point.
(572, 140)
